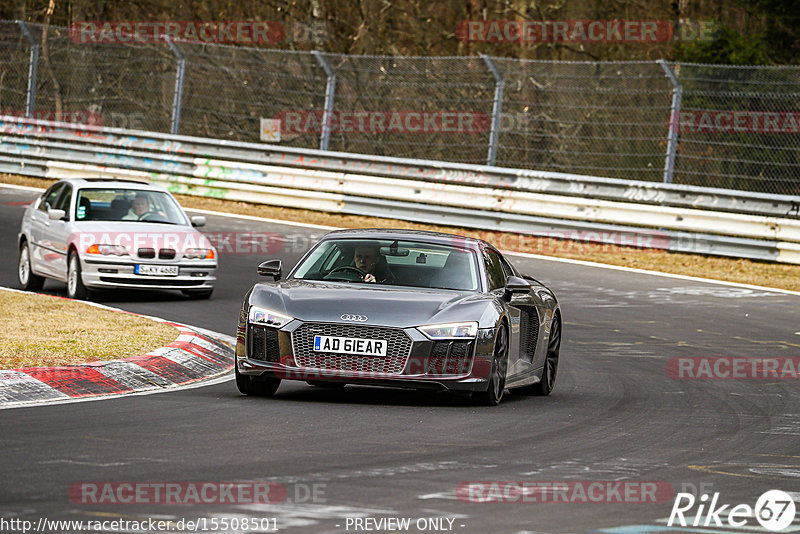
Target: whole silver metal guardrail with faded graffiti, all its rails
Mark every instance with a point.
(729, 223)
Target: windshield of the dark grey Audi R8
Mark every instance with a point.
(391, 262)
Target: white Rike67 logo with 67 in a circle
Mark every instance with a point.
(774, 511)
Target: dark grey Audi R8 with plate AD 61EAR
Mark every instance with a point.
(400, 308)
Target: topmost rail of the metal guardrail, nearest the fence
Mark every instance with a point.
(643, 192)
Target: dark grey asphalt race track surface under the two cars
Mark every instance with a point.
(370, 453)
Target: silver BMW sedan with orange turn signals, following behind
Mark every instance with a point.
(97, 233)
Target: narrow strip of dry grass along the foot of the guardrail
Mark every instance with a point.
(778, 275)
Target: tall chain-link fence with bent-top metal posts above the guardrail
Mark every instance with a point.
(717, 126)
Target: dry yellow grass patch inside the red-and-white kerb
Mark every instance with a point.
(43, 331)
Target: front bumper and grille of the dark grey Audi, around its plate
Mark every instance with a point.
(413, 360)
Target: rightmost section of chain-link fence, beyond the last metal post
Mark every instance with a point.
(740, 128)
